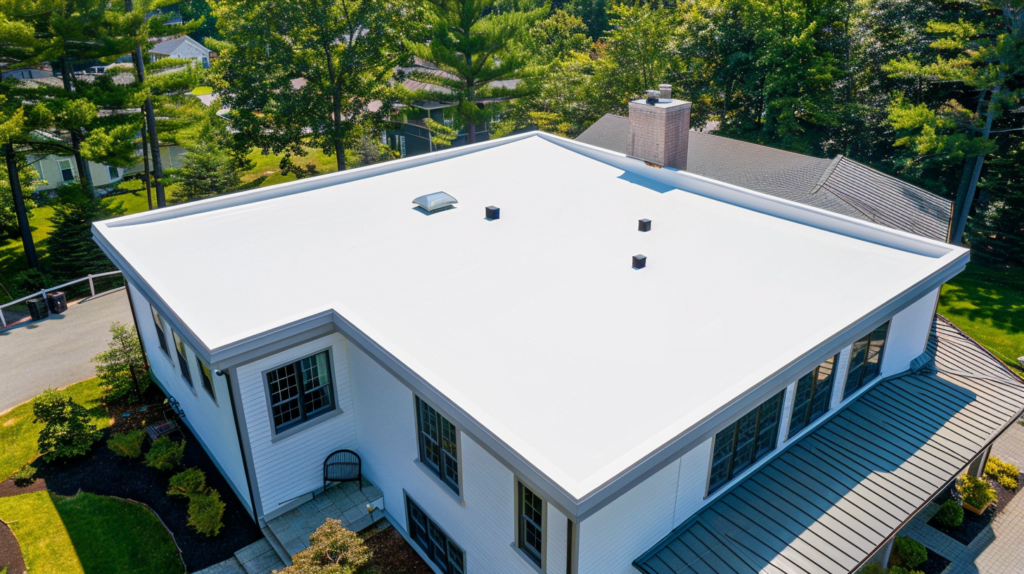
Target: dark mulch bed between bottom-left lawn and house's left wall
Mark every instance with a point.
(102, 472)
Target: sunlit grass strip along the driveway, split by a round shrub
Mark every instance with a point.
(19, 434)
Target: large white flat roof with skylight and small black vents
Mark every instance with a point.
(536, 325)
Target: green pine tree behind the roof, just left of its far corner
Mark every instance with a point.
(479, 55)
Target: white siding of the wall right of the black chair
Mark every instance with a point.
(485, 524)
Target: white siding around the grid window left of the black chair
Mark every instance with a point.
(293, 466)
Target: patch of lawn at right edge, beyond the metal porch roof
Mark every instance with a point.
(989, 305)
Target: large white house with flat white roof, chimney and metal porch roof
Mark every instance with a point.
(769, 390)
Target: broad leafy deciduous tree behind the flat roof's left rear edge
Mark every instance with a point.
(297, 74)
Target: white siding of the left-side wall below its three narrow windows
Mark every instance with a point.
(212, 422)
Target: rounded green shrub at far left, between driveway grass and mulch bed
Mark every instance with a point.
(69, 431)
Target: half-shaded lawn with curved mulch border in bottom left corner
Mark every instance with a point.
(89, 534)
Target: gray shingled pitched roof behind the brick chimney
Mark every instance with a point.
(840, 186)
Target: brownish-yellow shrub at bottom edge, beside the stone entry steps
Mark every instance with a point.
(332, 549)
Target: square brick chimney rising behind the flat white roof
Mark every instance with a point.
(660, 129)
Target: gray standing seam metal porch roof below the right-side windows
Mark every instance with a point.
(828, 502)
